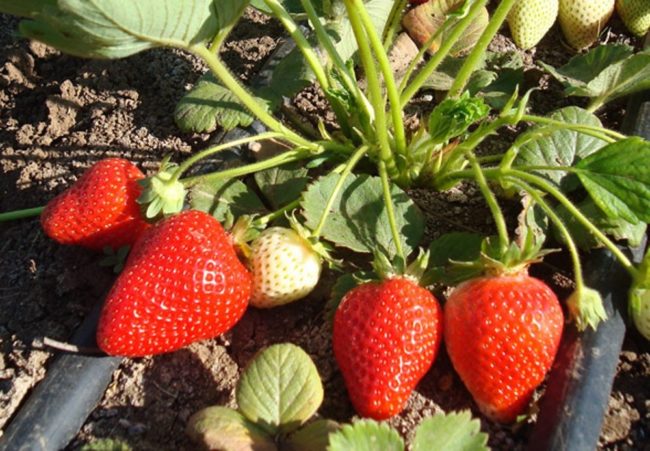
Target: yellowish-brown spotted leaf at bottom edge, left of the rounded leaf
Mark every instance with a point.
(219, 427)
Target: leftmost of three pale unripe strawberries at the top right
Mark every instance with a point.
(530, 20)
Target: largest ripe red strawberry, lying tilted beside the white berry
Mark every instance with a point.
(182, 283)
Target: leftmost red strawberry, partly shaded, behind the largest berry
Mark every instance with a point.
(99, 209)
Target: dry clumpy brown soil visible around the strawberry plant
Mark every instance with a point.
(59, 115)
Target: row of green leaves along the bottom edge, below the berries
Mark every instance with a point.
(278, 394)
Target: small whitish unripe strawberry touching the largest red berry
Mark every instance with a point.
(285, 267)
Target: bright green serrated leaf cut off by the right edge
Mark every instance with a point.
(618, 179)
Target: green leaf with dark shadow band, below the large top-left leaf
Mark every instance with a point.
(208, 105)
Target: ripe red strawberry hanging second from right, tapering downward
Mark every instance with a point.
(386, 336)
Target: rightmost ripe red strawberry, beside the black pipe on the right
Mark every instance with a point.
(502, 334)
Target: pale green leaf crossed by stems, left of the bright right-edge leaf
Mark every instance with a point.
(549, 146)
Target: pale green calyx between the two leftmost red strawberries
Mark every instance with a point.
(162, 194)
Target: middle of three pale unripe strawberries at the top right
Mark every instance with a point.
(583, 20)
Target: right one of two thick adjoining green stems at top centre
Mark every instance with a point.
(389, 78)
